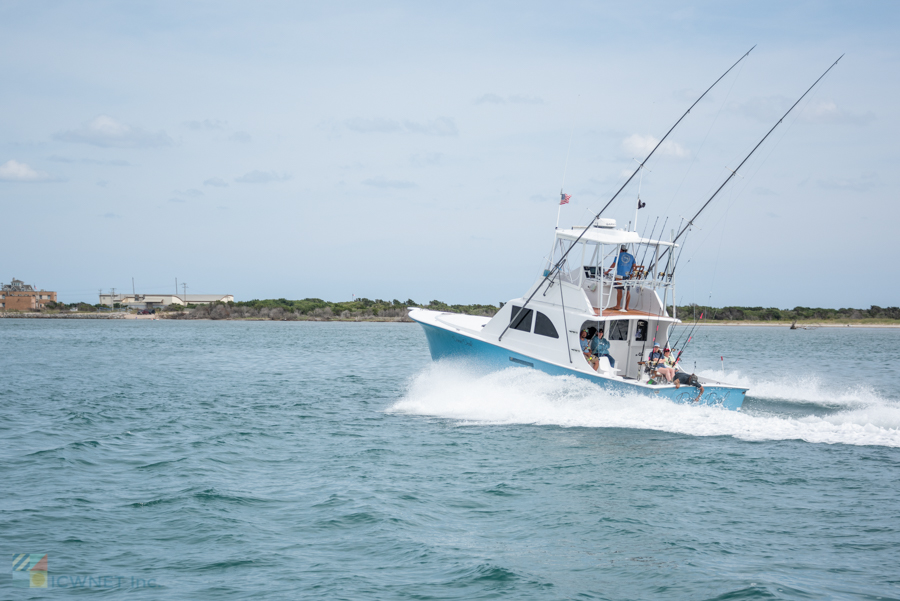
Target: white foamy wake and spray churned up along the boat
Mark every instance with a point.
(524, 396)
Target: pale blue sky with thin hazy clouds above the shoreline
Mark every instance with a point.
(405, 150)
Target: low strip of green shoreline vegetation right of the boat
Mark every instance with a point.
(874, 314)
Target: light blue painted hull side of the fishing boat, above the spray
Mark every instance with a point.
(445, 344)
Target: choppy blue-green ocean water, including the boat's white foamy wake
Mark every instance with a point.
(270, 460)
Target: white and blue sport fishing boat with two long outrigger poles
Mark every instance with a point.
(542, 329)
